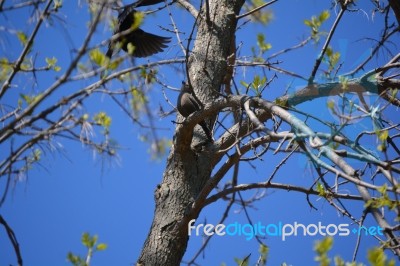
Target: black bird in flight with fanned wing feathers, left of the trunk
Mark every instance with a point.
(146, 44)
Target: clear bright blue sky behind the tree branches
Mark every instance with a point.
(72, 191)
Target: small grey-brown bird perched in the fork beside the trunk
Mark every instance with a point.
(188, 104)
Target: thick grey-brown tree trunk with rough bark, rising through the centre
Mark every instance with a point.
(187, 170)
